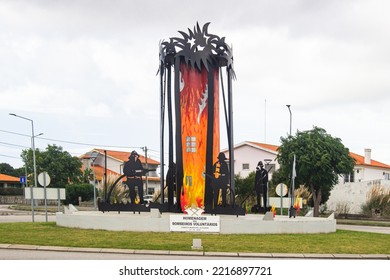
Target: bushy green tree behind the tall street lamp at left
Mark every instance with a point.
(60, 165)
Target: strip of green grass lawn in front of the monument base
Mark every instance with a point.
(340, 242)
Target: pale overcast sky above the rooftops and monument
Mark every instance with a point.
(85, 71)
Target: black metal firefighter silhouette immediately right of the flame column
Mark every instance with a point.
(220, 182)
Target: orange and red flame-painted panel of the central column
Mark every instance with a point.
(194, 96)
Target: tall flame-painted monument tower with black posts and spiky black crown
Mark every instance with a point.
(196, 60)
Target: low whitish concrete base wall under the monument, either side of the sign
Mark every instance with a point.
(145, 221)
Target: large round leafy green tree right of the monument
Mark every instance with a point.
(320, 159)
